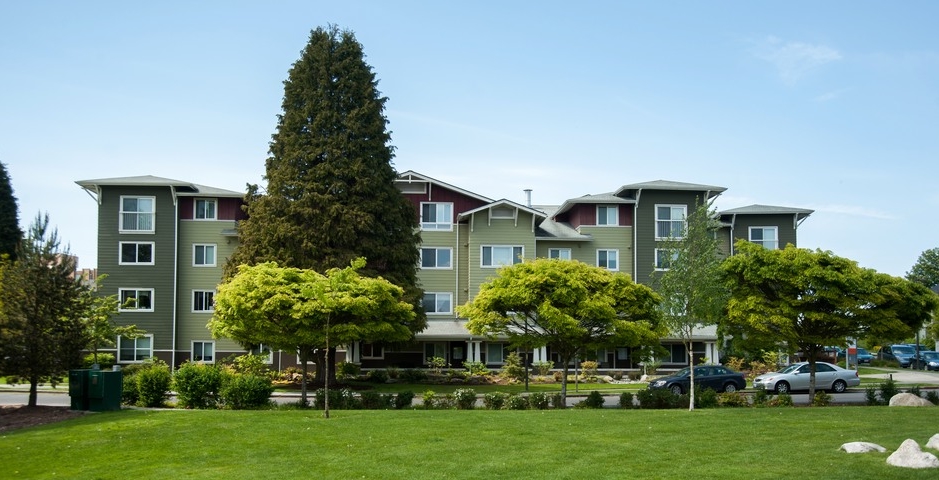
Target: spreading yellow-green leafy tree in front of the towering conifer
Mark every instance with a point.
(304, 311)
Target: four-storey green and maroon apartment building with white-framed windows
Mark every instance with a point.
(162, 244)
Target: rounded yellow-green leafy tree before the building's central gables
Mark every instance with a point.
(572, 306)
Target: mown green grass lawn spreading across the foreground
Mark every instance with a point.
(714, 443)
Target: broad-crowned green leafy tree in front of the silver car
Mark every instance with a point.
(807, 299)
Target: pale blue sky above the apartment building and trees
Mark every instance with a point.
(832, 106)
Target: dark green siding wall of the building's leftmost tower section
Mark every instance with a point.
(159, 276)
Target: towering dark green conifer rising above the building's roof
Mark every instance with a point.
(330, 195)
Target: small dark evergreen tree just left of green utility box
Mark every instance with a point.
(41, 310)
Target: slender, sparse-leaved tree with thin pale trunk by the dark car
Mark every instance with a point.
(692, 294)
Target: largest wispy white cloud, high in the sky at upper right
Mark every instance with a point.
(793, 60)
